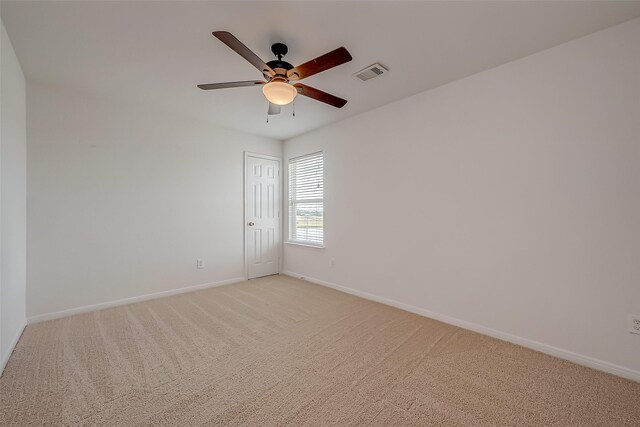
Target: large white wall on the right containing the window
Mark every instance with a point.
(509, 200)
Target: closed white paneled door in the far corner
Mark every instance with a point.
(262, 215)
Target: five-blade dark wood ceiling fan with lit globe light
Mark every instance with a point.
(278, 88)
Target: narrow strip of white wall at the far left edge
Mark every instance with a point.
(13, 211)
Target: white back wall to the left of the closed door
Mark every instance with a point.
(121, 201)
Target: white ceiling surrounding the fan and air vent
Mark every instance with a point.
(154, 53)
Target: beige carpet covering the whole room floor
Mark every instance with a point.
(278, 351)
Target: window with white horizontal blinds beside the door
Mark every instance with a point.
(306, 199)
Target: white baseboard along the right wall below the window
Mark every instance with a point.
(580, 359)
